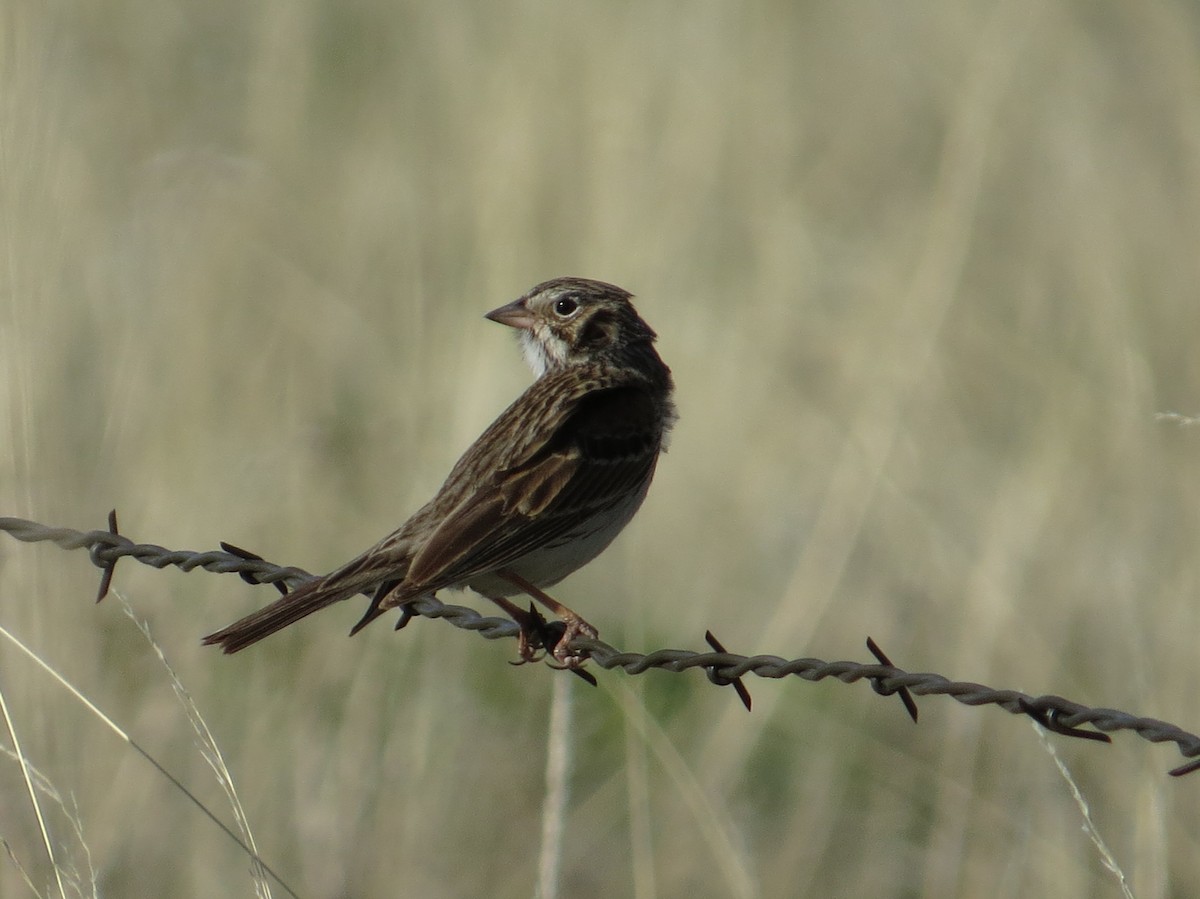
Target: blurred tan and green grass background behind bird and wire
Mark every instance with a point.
(926, 273)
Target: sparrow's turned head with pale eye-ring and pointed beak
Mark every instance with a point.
(572, 320)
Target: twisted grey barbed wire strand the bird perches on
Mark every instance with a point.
(1055, 714)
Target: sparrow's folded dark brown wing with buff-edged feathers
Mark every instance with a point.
(604, 451)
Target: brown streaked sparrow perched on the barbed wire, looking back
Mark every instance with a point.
(542, 493)
